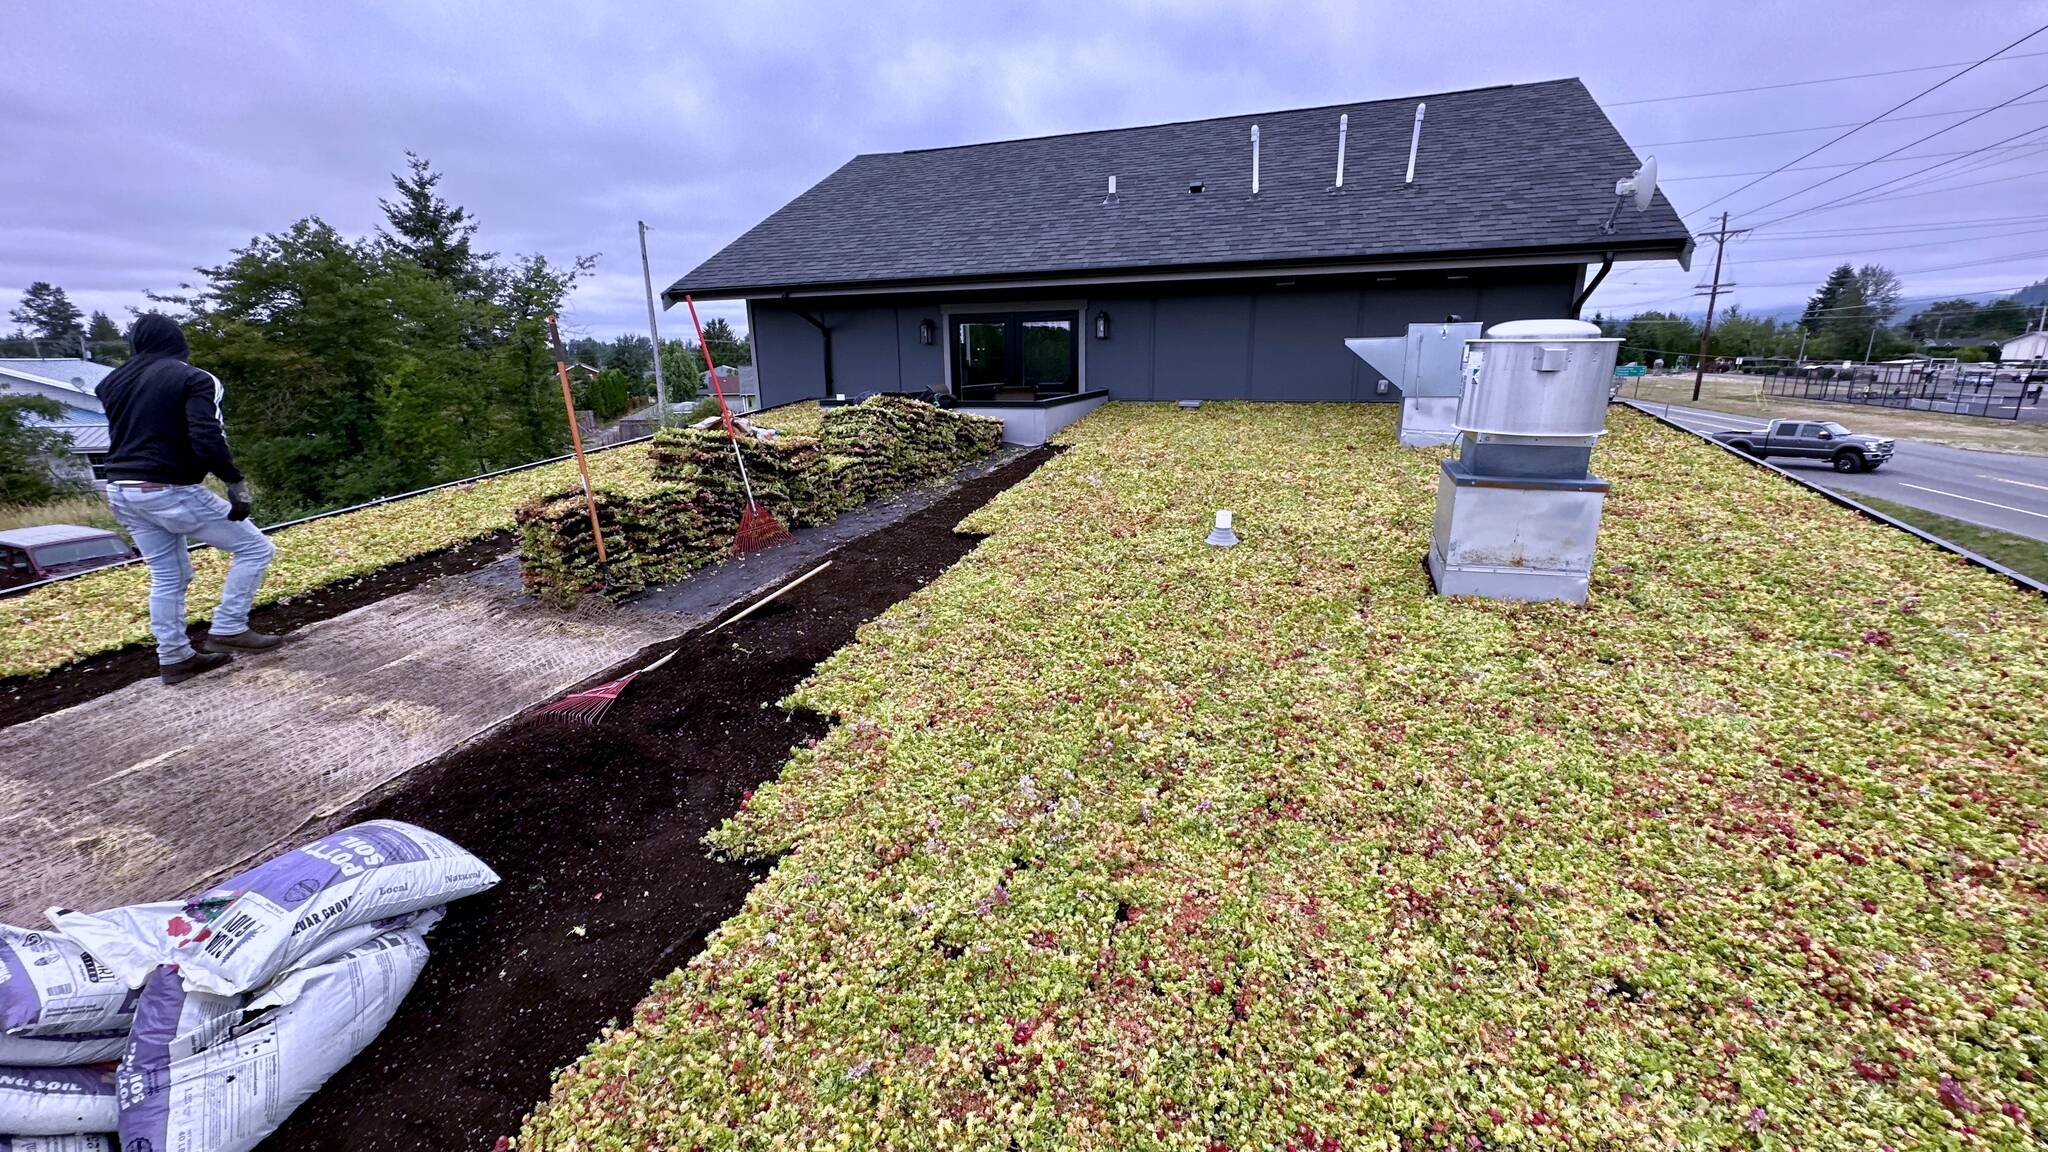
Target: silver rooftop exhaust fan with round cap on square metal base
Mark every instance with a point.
(1519, 509)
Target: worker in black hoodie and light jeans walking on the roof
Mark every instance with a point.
(165, 421)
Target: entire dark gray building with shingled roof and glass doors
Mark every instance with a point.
(1187, 261)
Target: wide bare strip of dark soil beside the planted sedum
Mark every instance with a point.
(597, 835)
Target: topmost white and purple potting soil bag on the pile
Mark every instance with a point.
(249, 930)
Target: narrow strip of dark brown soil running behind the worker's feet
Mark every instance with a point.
(26, 698)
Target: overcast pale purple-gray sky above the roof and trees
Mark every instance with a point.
(151, 138)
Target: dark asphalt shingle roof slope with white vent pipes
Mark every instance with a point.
(1500, 169)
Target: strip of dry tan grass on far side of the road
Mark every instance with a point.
(1744, 397)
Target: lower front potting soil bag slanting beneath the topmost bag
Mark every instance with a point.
(226, 1087)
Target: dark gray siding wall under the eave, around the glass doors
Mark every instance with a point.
(1195, 343)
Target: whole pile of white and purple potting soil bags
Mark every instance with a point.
(204, 1024)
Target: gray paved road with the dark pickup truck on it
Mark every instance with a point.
(2000, 491)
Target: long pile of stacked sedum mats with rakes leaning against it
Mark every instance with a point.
(689, 516)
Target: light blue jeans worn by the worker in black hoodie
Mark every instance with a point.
(163, 522)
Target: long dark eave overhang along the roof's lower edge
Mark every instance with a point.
(1189, 274)
